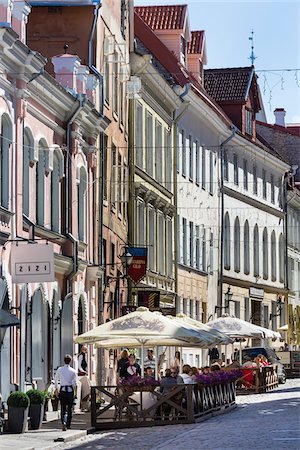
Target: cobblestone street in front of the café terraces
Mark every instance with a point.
(266, 421)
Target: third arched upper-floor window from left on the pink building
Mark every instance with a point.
(40, 183)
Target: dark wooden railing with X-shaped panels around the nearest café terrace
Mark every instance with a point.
(116, 407)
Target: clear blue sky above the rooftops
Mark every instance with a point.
(276, 26)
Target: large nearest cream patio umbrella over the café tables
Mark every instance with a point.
(144, 328)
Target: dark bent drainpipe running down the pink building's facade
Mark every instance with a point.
(68, 191)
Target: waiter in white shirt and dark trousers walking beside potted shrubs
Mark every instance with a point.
(67, 378)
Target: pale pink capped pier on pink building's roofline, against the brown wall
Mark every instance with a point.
(66, 68)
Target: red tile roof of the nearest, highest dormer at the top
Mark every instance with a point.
(163, 17)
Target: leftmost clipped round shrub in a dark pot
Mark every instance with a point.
(18, 406)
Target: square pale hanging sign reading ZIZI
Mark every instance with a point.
(32, 263)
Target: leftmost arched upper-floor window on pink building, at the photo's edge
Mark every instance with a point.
(5, 145)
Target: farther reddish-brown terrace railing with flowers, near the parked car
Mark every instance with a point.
(257, 379)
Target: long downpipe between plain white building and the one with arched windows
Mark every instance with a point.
(220, 300)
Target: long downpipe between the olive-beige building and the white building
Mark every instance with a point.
(175, 125)
